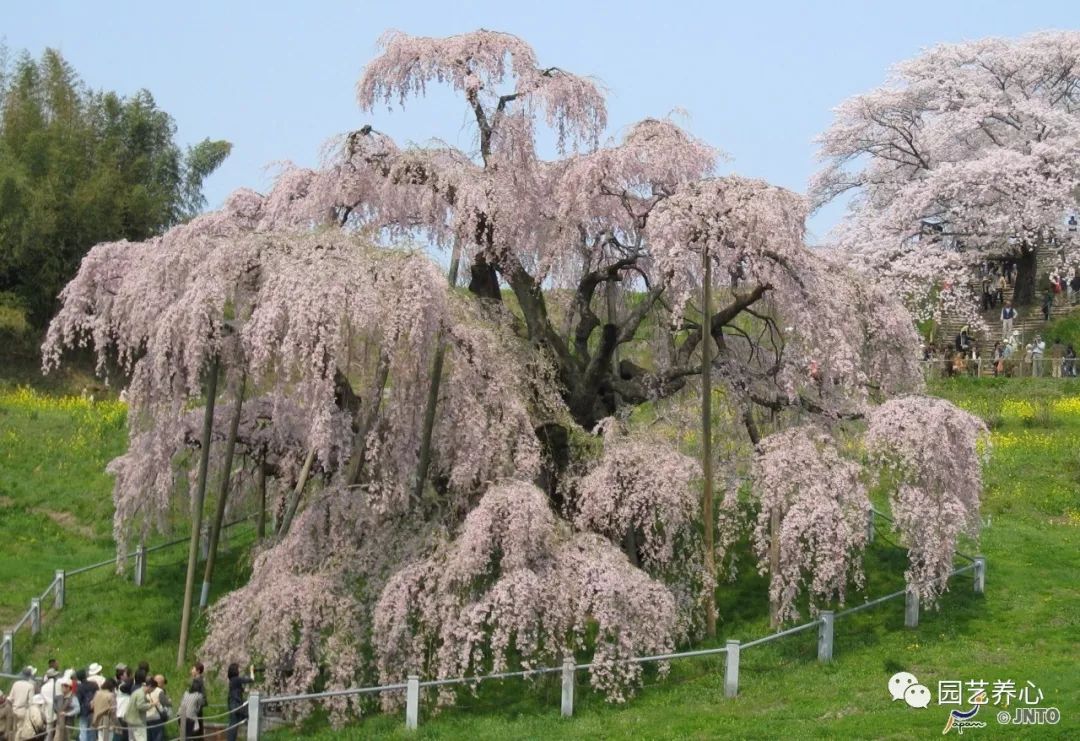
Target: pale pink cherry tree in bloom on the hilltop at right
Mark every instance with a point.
(968, 153)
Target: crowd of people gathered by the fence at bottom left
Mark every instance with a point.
(85, 706)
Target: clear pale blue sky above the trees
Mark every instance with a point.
(757, 79)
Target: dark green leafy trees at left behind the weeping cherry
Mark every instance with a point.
(80, 167)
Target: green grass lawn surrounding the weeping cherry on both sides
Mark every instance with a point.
(1025, 628)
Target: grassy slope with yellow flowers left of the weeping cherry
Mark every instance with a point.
(57, 513)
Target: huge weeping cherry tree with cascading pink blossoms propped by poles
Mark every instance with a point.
(526, 537)
